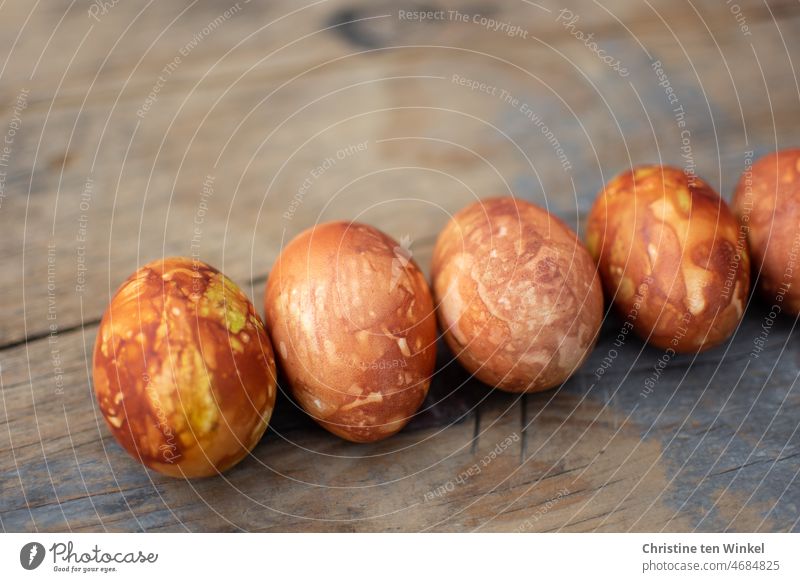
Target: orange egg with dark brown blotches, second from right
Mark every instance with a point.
(671, 257)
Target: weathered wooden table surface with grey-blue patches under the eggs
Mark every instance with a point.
(127, 123)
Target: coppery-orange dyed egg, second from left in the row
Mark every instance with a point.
(351, 319)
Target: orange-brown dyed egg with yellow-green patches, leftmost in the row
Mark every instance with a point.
(183, 369)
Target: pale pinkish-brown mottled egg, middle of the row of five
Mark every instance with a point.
(518, 297)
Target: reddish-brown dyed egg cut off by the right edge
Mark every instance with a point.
(767, 204)
